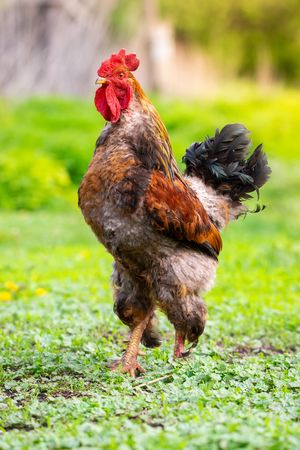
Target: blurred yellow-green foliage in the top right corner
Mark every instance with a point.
(242, 35)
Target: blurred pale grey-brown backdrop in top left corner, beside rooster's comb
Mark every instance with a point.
(52, 45)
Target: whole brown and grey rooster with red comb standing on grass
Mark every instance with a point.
(162, 227)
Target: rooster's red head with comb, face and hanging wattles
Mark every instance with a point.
(116, 82)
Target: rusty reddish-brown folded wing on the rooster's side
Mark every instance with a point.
(176, 211)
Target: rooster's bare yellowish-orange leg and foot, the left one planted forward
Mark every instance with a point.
(128, 362)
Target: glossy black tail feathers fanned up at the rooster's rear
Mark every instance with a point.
(222, 163)
